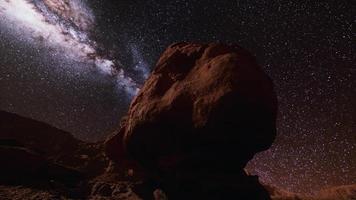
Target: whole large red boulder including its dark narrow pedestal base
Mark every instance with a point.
(203, 113)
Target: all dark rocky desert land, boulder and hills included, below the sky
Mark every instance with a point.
(203, 113)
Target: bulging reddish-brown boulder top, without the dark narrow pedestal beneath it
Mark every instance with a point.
(200, 98)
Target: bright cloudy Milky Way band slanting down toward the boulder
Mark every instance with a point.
(64, 25)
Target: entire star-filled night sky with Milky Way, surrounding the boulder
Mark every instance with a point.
(78, 67)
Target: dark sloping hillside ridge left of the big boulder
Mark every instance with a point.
(48, 142)
